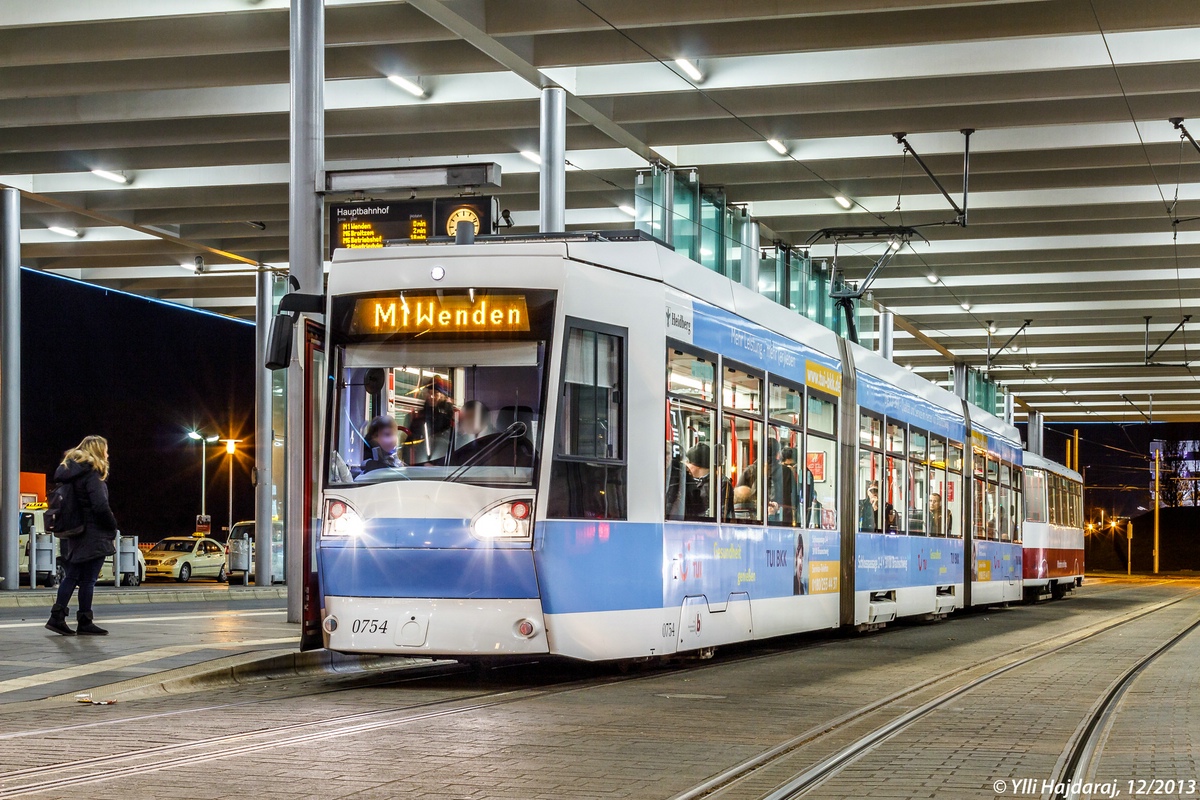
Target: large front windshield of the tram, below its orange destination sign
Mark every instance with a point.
(437, 407)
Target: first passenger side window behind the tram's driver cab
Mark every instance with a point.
(691, 452)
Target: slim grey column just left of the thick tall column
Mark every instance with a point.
(265, 431)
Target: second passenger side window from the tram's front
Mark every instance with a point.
(752, 479)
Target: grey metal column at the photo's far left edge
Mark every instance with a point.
(10, 388)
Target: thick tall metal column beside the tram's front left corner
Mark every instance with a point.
(308, 157)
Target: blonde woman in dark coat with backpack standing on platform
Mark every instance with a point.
(87, 470)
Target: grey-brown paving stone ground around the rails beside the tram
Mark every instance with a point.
(592, 732)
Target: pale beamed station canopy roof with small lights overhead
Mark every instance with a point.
(1083, 195)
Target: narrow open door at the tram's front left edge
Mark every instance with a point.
(316, 375)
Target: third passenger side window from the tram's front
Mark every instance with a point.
(791, 484)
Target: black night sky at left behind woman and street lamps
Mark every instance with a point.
(140, 374)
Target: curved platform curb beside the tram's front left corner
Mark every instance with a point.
(248, 669)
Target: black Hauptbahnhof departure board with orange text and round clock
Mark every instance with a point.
(375, 222)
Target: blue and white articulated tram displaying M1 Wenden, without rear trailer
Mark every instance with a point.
(602, 450)
